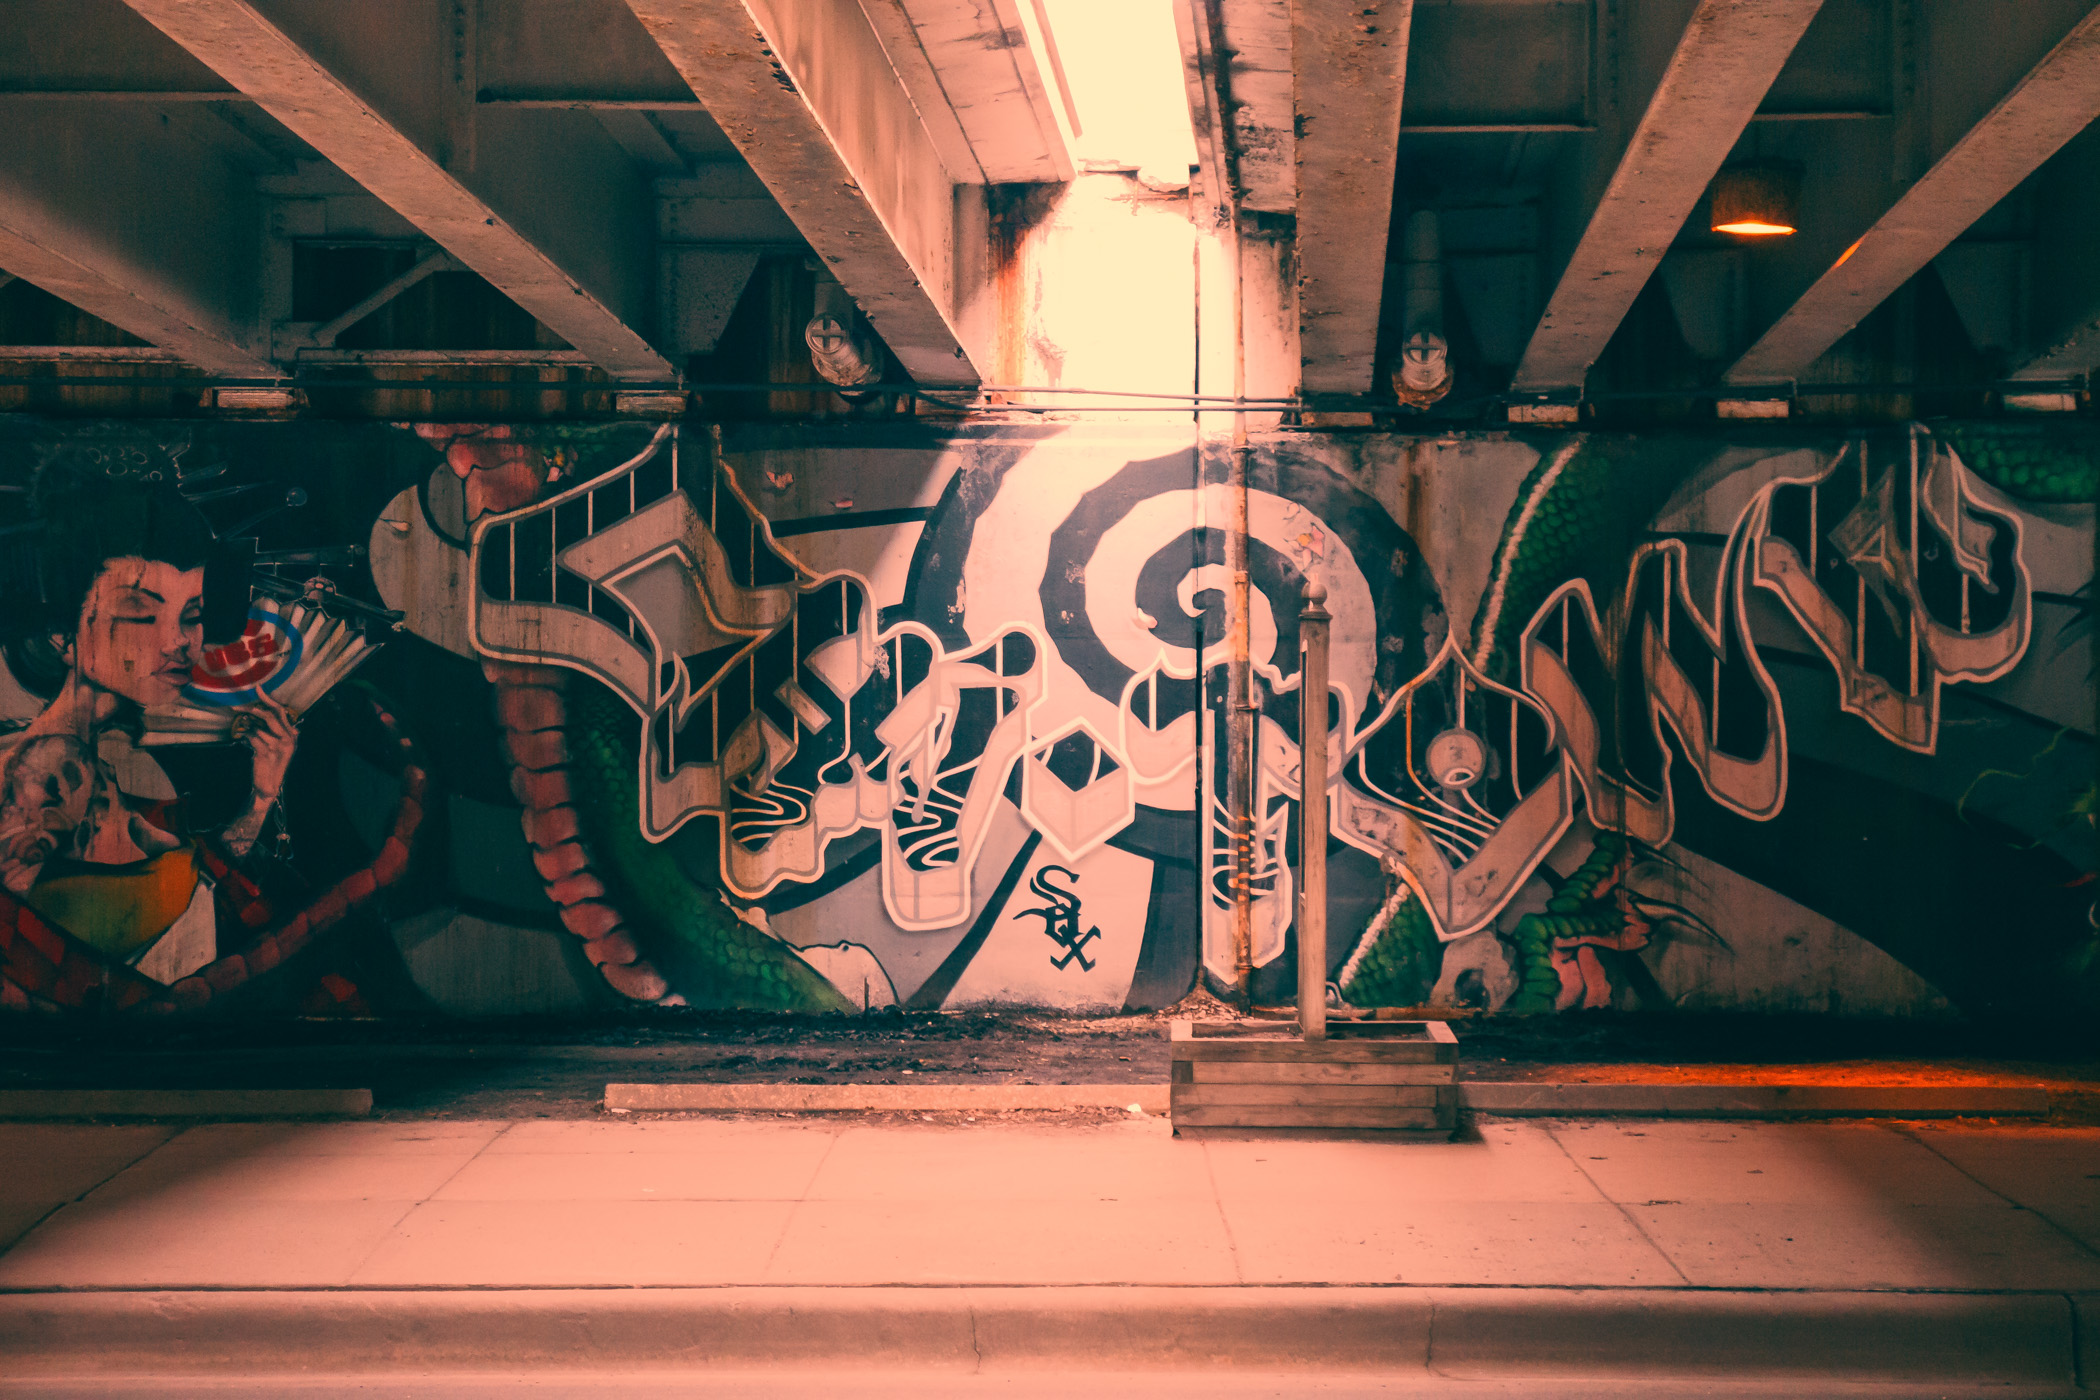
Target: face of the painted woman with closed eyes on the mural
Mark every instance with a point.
(142, 629)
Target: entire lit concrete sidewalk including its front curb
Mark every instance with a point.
(1950, 1252)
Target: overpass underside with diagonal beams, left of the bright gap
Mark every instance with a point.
(612, 169)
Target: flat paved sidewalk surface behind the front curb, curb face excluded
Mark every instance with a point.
(843, 1202)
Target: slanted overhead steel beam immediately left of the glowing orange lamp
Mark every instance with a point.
(1721, 70)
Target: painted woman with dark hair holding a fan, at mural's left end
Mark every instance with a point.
(114, 891)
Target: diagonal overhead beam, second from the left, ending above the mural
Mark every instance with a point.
(587, 310)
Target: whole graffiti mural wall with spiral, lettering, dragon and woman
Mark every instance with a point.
(484, 719)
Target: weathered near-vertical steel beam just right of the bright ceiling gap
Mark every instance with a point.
(1347, 75)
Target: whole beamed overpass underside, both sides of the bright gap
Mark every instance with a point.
(616, 169)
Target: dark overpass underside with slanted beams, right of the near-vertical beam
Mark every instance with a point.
(1939, 142)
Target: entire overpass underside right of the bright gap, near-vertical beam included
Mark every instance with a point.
(1570, 148)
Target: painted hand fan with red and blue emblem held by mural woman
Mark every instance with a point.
(293, 650)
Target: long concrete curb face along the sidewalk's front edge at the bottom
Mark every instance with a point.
(1446, 1334)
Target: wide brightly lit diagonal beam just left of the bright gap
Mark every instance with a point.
(810, 98)
